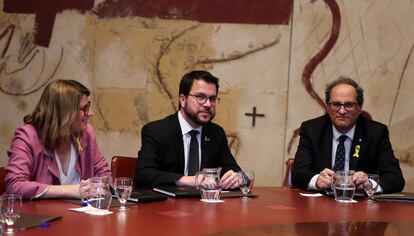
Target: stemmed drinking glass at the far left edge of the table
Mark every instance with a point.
(10, 210)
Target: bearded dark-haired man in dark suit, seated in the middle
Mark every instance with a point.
(167, 157)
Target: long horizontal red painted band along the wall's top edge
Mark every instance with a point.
(212, 11)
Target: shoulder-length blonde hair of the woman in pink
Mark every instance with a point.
(56, 111)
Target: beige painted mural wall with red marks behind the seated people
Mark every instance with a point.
(273, 58)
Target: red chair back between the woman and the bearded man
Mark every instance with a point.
(122, 166)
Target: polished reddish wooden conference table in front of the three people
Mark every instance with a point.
(276, 211)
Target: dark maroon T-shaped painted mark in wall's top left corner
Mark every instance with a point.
(45, 14)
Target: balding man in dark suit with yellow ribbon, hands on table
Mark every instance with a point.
(366, 144)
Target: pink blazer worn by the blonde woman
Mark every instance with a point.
(32, 167)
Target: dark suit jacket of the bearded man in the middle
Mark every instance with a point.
(161, 158)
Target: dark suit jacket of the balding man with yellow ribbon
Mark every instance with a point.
(375, 156)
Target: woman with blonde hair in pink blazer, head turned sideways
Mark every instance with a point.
(56, 147)
